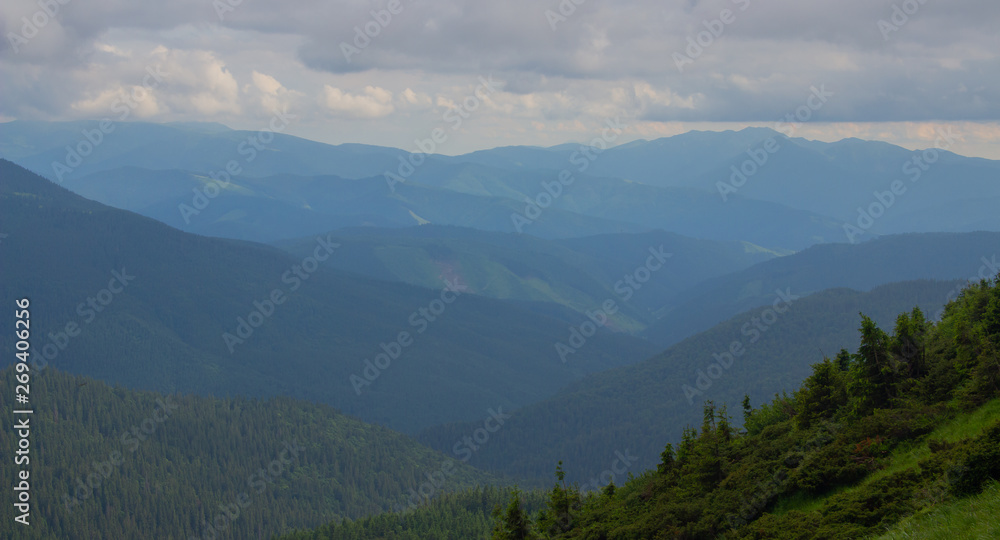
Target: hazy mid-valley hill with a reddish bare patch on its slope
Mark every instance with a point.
(579, 273)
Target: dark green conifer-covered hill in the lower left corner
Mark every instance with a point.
(195, 464)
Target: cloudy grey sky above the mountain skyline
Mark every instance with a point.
(389, 72)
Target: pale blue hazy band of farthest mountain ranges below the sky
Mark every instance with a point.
(799, 193)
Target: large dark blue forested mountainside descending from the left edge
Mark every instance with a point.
(166, 330)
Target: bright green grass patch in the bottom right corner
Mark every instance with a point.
(972, 517)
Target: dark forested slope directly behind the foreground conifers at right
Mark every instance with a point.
(636, 408)
